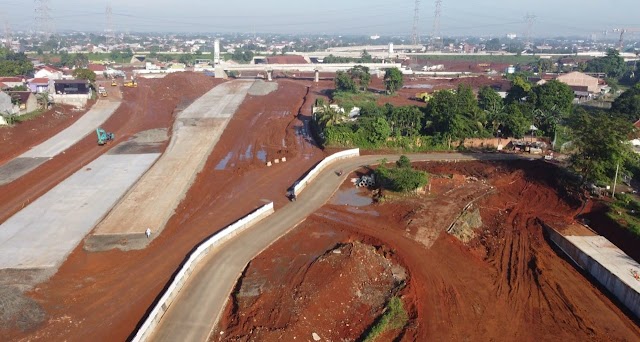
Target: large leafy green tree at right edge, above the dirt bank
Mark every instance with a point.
(600, 141)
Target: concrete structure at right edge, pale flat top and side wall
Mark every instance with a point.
(606, 263)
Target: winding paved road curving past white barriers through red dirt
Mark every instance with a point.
(199, 305)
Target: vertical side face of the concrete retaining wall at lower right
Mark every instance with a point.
(623, 291)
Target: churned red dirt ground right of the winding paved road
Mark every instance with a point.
(507, 283)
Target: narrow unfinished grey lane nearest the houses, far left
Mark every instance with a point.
(55, 145)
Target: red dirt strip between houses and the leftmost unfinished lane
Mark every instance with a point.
(22, 136)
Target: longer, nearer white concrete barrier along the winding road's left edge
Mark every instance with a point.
(150, 323)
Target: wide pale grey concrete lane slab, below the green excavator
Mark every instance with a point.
(41, 235)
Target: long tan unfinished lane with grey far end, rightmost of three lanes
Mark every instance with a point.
(154, 199)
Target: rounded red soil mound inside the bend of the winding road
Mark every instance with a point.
(336, 295)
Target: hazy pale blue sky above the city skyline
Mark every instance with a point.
(384, 17)
